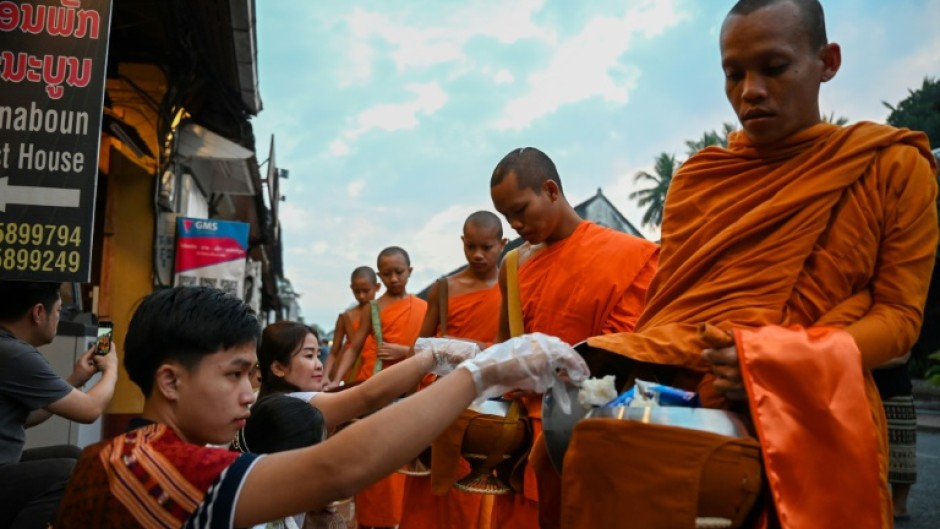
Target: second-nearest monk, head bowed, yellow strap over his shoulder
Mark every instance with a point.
(575, 280)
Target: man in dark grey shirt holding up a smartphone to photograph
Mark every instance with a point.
(32, 482)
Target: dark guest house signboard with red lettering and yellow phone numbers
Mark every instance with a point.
(53, 57)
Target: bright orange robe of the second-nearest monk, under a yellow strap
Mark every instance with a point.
(592, 282)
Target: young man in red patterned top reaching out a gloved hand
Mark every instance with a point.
(190, 349)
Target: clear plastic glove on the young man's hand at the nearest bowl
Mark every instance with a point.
(530, 362)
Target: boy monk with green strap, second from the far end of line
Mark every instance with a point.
(399, 315)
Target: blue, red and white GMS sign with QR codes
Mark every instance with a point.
(211, 253)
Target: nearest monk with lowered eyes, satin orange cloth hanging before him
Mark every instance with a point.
(798, 258)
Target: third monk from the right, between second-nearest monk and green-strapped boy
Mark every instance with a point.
(471, 301)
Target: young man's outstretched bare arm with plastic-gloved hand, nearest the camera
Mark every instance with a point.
(301, 480)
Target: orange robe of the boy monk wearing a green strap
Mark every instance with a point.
(380, 504)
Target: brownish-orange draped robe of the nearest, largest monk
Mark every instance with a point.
(834, 226)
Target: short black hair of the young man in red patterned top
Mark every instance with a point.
(184, 324)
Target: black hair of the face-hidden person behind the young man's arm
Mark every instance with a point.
(279, 423)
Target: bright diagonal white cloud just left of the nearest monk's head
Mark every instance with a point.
(588, 65)
